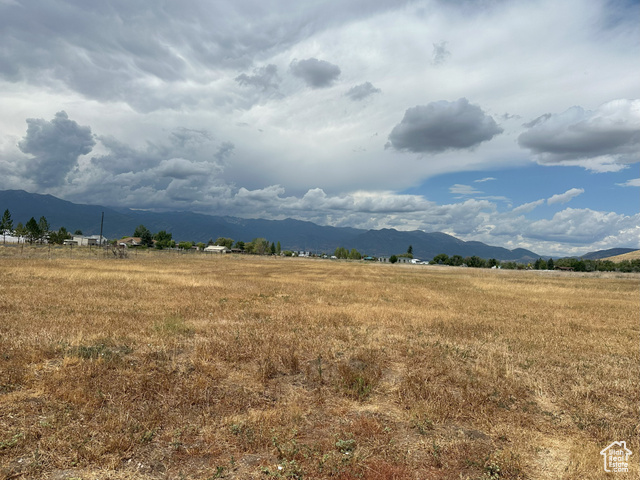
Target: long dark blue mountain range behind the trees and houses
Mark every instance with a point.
(292, 234)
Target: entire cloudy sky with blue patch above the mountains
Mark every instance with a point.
(516, 123)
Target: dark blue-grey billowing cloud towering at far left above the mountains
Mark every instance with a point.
(55, 147)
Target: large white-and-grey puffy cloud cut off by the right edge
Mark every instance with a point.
(604, 139)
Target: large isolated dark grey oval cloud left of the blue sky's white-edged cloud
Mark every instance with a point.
(441, 126)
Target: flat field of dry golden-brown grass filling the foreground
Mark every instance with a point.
(165, 366)
